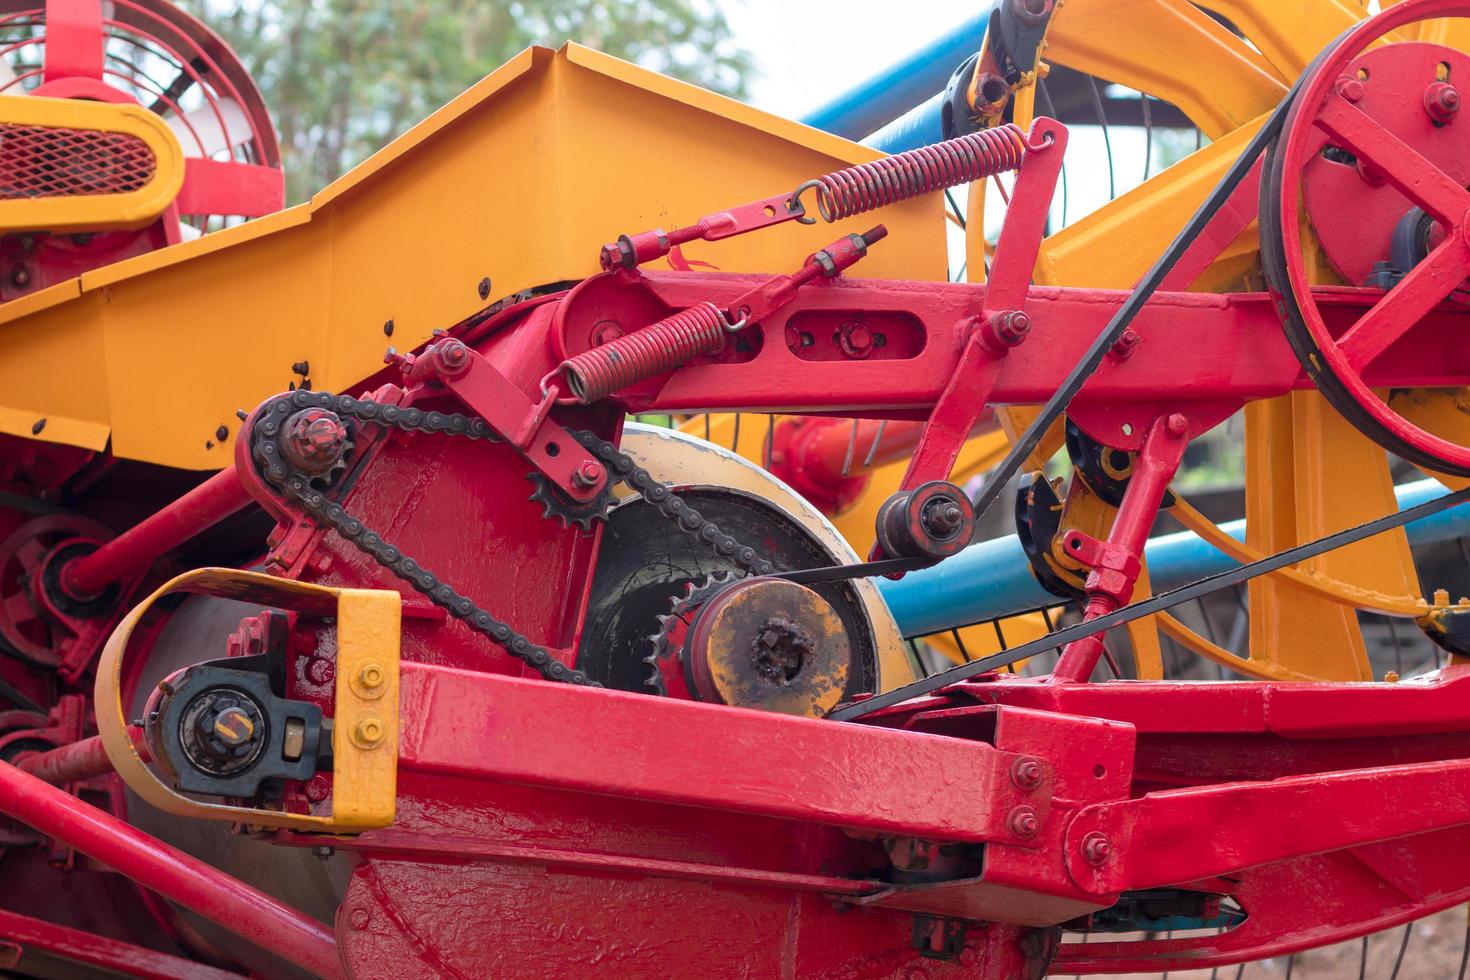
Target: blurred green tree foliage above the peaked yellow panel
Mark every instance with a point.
(345, 77)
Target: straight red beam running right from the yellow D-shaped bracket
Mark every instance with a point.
(881, 781)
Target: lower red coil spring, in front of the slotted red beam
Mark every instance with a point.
(648, 353)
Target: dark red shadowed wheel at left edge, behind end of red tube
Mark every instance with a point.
(23, 558)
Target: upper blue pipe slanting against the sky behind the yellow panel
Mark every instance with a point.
(889, 95)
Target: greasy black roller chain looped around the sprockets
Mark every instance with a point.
(329, 512)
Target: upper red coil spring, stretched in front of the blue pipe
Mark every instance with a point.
(915, 173)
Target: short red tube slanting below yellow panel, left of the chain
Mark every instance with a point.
(139, 547)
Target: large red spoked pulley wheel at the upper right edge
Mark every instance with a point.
(1369, 139)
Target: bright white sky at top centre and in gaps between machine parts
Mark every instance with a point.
(809, 52)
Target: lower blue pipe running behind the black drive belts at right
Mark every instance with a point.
(993, 578)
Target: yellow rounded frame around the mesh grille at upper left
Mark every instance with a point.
(77, 212)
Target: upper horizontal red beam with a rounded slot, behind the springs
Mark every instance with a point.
(1196, 347)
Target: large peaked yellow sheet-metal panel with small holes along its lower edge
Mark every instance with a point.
(520, 181)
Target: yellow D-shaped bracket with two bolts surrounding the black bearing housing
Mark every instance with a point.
(365, 731)
